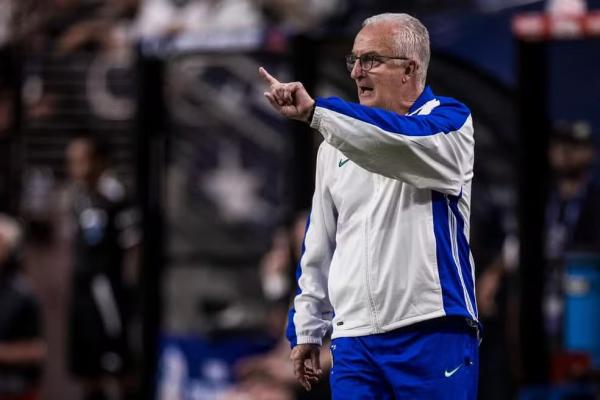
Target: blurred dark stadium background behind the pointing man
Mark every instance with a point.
(152, 205)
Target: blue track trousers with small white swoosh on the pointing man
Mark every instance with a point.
(432, 360)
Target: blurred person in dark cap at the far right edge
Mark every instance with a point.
(572, 214)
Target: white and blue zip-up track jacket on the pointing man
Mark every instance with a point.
(387, 241)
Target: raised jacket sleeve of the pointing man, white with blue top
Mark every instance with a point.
(431, 151)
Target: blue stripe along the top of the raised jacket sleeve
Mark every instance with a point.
(448, 117)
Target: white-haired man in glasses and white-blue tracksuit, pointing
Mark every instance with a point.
(386, 259)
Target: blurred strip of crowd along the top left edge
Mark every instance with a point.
(70, 25)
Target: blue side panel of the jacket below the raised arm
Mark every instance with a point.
(452, 292)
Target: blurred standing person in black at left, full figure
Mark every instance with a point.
(105, 229)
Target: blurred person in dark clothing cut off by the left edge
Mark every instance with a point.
(22, 349)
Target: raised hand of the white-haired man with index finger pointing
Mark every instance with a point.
(289, 99)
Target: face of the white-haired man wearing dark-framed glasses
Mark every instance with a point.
(382, 85)
